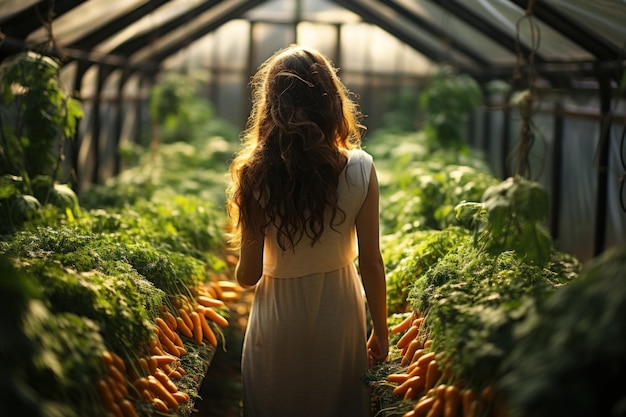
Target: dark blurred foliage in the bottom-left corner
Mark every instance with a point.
(47, 359)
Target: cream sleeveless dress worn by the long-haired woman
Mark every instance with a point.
(305, 346)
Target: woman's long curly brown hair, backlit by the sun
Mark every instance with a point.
(293, 148)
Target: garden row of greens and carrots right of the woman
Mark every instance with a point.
(487, 316)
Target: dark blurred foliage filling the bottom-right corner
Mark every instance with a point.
(568, 357)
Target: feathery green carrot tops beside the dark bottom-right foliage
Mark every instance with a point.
(472, 299)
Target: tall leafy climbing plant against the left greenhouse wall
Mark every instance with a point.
(36, 117)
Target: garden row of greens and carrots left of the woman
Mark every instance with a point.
(113, 305)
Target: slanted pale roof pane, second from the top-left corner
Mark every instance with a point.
(84, 19)
